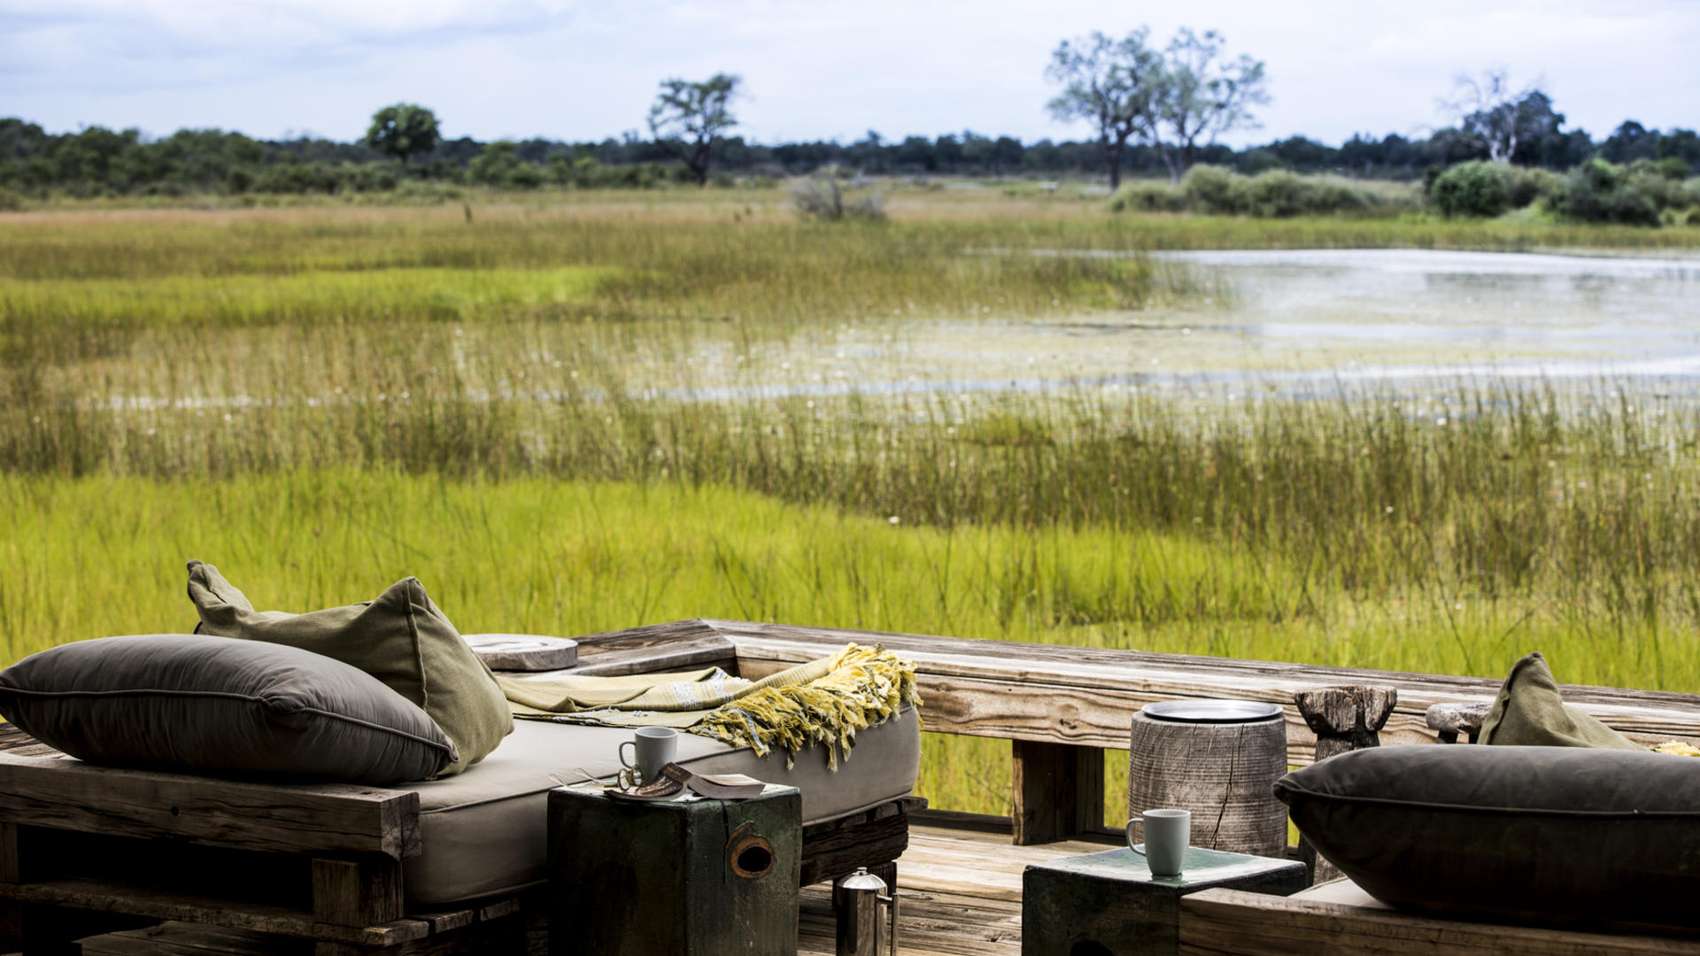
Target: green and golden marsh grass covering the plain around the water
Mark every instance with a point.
(531, 413)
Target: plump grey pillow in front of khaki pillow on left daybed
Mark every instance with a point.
(217, 705)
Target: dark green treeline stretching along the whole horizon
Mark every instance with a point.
(106, 162)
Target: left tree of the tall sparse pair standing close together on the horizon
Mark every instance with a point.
(1113, 84)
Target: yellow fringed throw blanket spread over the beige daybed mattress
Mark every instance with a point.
(822, 702)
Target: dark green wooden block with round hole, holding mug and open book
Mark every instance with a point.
(700, 879)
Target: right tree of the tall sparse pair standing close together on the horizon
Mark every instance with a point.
(1201, 96)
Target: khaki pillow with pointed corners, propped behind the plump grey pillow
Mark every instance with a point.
(402, 639)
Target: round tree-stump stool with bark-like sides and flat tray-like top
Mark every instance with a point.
(1221, 761)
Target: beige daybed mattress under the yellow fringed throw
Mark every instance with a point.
(484, 831)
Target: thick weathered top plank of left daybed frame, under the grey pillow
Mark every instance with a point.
(71, 795)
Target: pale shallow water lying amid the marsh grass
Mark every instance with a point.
(1298, 319)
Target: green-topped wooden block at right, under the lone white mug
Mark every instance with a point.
(1109, 904)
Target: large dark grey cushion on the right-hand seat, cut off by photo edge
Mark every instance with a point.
(1544, 834)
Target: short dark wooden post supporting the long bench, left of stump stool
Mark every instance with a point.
(1058, 792)
